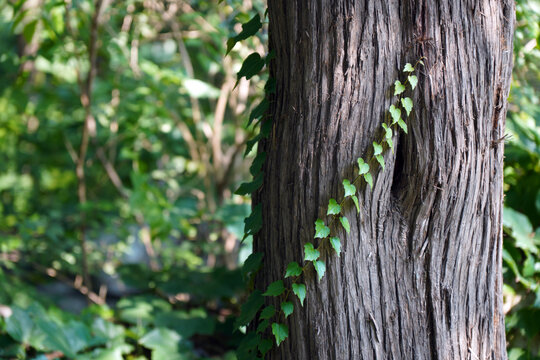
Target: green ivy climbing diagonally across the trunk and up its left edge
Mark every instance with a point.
(255, 344)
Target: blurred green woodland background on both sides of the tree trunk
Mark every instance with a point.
(160, 226)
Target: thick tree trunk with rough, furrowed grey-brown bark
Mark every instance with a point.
(420, 273)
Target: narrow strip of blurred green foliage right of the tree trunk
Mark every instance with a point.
(521, 253)
